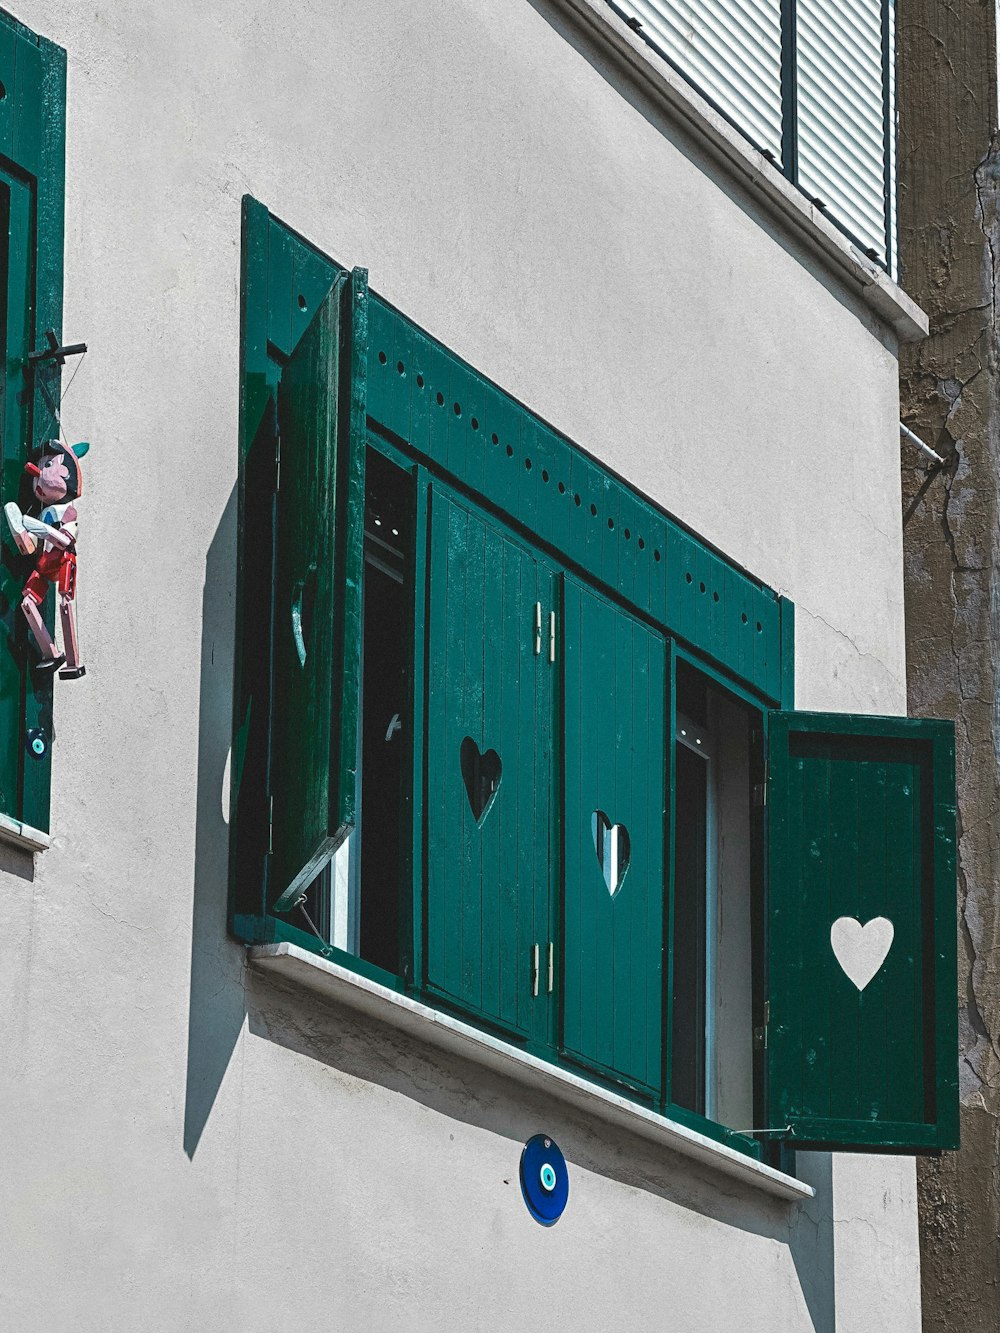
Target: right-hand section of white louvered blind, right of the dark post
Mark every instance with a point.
(842, 129)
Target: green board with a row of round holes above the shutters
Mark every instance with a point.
(467, 427)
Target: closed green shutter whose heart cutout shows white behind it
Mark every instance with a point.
(615, 758)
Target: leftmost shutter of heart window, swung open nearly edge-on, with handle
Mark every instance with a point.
(318, 591)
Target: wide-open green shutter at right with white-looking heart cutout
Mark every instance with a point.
(862, 832)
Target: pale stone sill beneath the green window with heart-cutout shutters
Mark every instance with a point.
(441, 1030)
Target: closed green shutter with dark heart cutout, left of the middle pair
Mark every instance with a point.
(490, 690)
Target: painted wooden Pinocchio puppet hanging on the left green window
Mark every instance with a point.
(57, 483)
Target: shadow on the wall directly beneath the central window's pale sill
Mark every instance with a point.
(373, 1054)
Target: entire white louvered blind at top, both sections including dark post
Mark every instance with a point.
(733, 51)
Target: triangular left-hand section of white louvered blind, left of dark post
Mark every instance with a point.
(731, 50)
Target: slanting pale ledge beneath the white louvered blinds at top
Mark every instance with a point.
(738, 157)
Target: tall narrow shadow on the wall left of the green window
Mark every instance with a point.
(218, 1006)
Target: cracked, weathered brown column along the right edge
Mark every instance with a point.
(950, 242)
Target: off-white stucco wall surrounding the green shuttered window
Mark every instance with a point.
(187, 1146)
